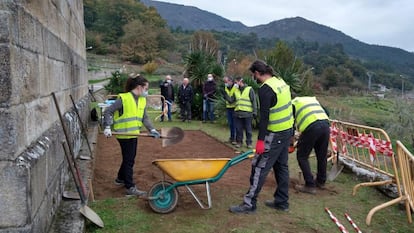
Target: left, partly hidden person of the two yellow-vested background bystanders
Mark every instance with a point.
(228, 95)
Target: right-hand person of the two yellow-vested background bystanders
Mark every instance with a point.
(244, 112)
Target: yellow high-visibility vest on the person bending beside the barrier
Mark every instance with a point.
(307, 111)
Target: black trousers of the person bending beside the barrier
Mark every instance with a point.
(316, 136)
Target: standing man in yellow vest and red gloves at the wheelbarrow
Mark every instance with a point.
(275, 132)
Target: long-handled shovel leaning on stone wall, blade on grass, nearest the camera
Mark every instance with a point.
(84, 210)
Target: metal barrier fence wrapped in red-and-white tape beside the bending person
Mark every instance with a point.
(369, 148)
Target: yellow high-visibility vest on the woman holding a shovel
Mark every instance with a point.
(131, 119)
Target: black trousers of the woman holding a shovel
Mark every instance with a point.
(129, 152)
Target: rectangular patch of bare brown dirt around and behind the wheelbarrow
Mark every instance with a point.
(196, 144)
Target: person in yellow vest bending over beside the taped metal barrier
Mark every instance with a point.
(312, 122)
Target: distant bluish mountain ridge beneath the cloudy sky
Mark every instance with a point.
(289, 29)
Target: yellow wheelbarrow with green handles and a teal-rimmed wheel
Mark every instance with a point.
(163, 196)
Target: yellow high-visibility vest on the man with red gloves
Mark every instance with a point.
(280, 115)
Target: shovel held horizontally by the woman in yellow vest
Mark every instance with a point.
(169, 136)
